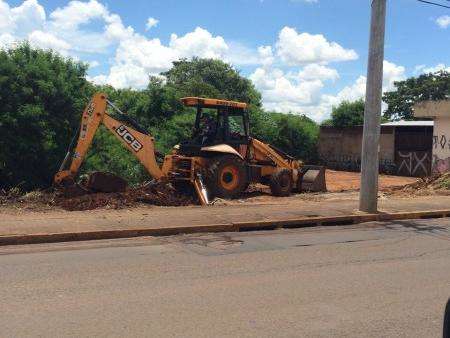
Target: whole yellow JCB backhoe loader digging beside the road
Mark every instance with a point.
(220, 160)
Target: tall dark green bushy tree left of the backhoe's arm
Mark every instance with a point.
(41, 97)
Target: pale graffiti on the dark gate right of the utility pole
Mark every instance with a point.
(413, 163)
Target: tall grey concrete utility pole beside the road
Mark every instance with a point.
(368, 196)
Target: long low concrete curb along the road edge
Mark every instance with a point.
(226, 227)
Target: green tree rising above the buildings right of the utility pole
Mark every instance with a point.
(432, 86)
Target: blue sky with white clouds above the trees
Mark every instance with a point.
(304, 56)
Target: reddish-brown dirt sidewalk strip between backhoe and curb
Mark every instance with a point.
(294, 207)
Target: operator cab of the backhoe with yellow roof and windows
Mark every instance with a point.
(217, 122)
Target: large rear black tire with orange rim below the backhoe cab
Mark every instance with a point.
(226, 177)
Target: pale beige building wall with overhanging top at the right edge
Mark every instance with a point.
(439, 111)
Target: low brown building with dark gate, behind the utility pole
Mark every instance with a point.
(405, 147)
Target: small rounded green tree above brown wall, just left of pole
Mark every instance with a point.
(347, 114)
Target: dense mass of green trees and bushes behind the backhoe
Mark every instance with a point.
(42, 96)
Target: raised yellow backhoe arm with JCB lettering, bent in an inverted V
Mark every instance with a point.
(139, 143)
